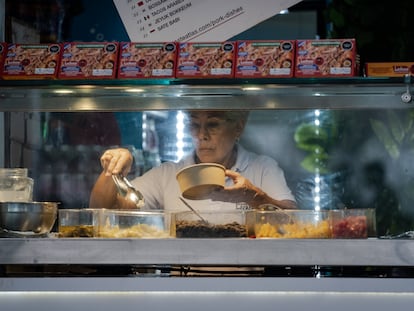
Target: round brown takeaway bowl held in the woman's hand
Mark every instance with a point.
(199, 180)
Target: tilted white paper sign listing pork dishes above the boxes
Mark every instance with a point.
(194, 20)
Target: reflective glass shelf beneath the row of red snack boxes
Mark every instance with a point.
(139, 95)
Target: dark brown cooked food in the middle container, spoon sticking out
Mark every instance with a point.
(199, 229)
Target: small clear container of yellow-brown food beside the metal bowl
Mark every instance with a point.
(77, 223)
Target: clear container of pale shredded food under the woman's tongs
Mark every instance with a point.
(133, 224)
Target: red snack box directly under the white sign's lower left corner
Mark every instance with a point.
(147, 60)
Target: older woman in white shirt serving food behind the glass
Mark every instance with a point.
(252, 179)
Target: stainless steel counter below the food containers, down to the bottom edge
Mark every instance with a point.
(158, 292)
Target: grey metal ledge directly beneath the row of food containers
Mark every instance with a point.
(231, 252)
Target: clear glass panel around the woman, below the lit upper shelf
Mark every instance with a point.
(331, 158)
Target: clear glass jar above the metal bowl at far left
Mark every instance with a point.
(15, 185)
